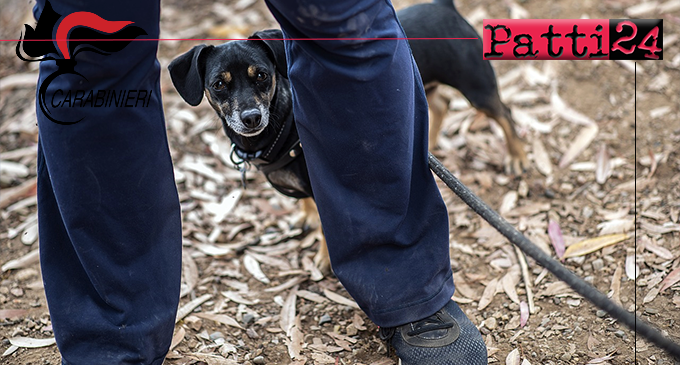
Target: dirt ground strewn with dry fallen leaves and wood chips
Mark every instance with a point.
(600, 166)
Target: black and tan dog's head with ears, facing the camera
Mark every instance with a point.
(238, 78)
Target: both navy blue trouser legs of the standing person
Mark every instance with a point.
(108, 211)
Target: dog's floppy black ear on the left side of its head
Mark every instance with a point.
(187, 72)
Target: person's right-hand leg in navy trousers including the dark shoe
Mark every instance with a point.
(362, 117)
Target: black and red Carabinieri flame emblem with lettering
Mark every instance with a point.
(68, 36)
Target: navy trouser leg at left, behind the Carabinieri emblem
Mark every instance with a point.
(109, 216)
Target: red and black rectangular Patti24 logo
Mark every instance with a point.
(573, 39)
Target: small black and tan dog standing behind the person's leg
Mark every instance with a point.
(246, 84)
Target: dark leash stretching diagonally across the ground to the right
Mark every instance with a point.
(579, 285)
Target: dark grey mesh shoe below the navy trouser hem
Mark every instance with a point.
(447, 337)
